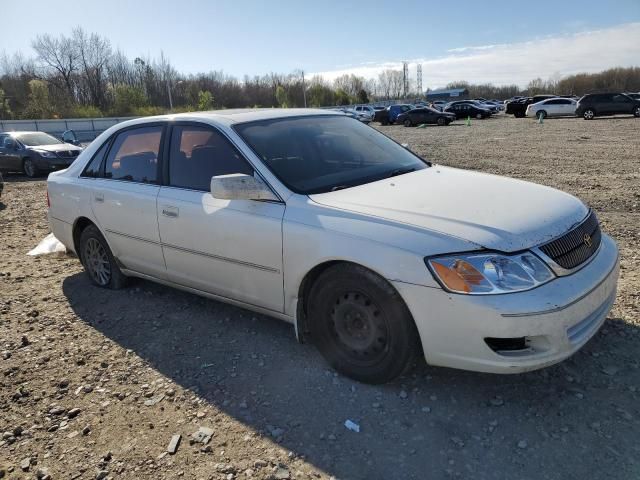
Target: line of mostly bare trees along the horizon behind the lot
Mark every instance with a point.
(81, 75)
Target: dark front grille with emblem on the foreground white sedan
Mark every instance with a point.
(576, 246)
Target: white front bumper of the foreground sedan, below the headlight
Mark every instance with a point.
(555, 319)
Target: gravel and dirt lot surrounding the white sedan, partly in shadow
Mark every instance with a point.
(94, 383)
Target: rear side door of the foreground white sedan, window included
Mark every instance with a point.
(124, 198)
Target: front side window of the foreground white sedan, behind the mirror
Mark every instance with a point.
(199, 153)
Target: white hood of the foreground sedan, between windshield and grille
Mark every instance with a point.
(494, 212)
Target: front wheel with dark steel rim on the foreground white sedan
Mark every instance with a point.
(361, 325)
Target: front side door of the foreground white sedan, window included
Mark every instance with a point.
(231, 248)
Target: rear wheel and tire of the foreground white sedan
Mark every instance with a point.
(98, 261)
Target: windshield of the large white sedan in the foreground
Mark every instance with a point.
(317, 154)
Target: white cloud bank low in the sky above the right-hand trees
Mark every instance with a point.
(518, 63)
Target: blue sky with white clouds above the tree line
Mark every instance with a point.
(497, 41)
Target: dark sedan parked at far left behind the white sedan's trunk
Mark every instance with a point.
(34, 153)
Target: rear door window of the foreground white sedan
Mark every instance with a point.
(134, 155)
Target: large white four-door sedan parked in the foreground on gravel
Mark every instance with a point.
(374, 254)
